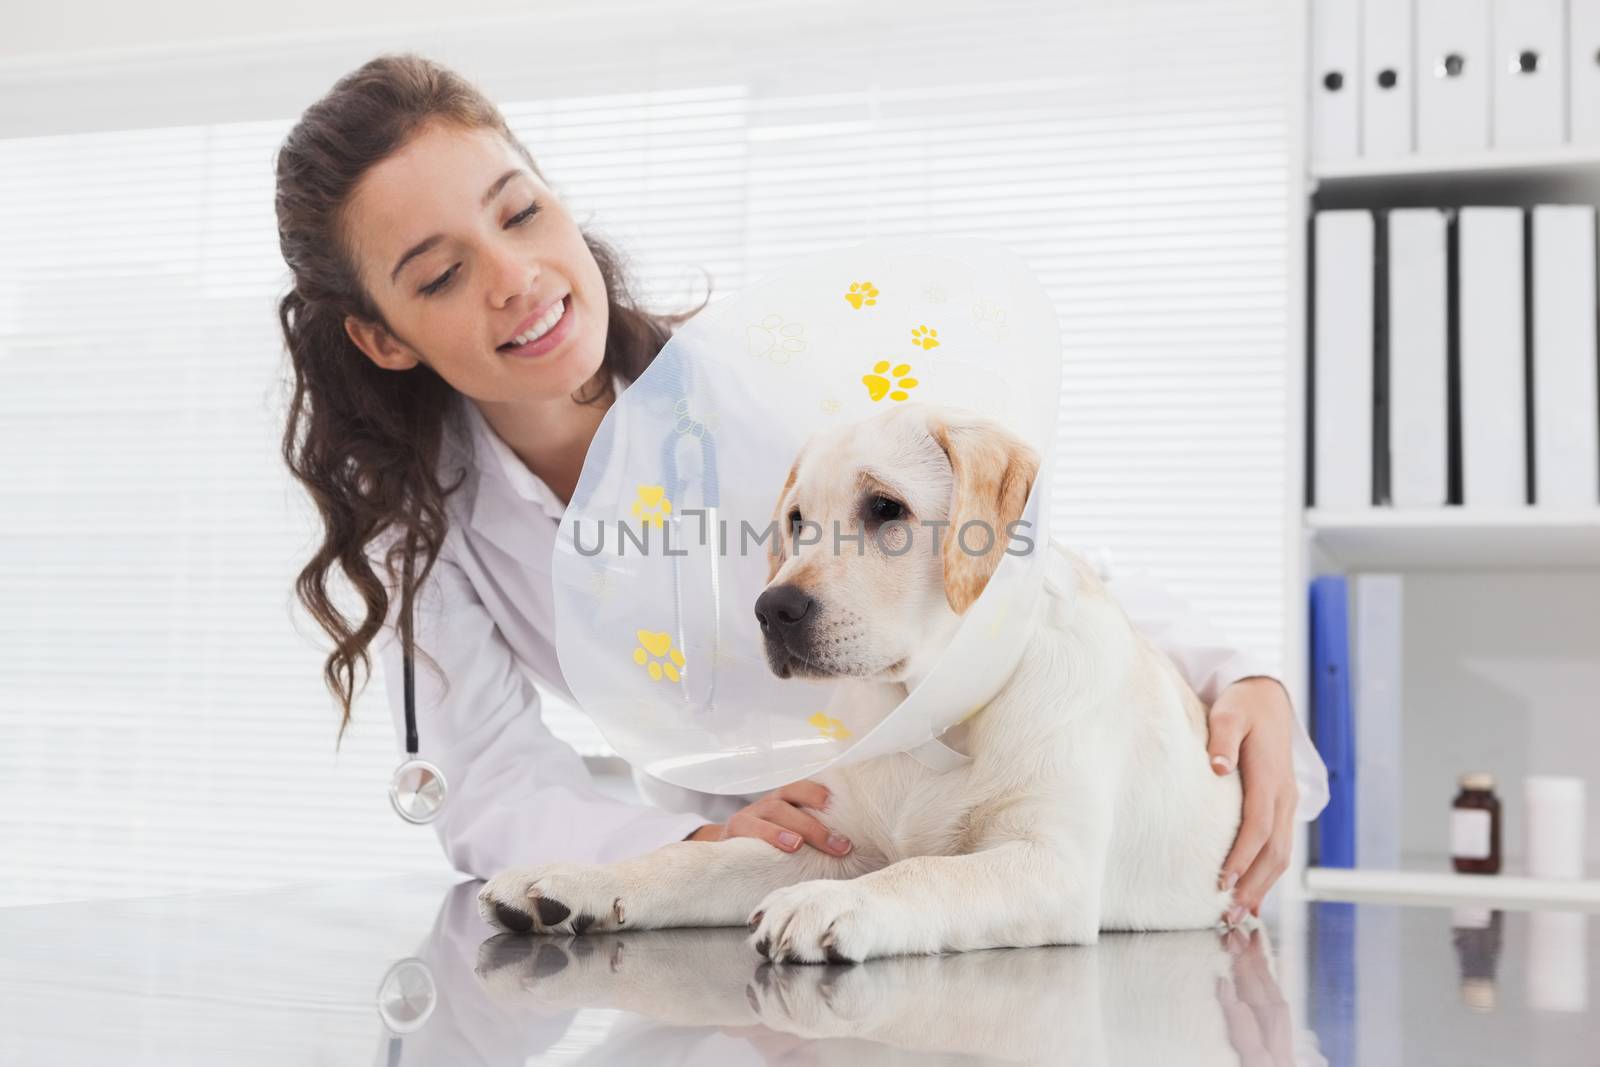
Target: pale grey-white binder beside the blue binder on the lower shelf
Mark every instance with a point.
(1375, 677)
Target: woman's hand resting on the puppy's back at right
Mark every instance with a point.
(1250, 729)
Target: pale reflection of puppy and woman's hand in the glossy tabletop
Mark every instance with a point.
(1137, 999)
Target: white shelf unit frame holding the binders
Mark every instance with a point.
(1407, 540)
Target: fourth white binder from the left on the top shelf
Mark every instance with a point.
(1530, 74)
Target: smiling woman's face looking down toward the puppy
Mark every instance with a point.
(463, 250)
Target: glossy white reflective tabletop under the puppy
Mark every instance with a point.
(404, 972)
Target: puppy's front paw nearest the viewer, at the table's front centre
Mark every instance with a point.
(831, 922)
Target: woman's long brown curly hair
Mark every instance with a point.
(362, 441)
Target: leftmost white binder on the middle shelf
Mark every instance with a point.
(1343, 353)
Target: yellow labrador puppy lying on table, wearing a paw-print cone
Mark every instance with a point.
(1089, 802)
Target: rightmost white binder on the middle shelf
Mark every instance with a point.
(1566, 393)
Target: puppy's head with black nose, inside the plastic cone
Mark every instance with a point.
(929, 495)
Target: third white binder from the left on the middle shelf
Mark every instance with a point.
(1494, 382)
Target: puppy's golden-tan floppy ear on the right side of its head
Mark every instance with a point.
(994, 471)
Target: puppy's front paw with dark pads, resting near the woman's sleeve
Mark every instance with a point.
(554, 898)
